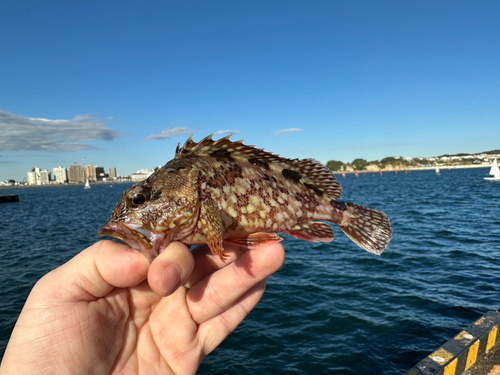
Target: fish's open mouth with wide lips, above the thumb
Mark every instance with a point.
(138, 238)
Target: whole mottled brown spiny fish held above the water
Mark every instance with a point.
(216, 192)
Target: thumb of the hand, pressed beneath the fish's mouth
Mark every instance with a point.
(95, 272)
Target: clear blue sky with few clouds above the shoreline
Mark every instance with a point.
(120, 83)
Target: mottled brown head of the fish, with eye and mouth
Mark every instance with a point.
(157, 211)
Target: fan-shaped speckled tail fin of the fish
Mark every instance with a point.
(368, 228)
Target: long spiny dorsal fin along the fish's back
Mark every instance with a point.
(310, 172)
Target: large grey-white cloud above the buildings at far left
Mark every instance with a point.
(18, 133)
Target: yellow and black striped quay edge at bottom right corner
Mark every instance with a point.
(461, 352)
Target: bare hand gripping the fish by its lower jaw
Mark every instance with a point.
(109, 311)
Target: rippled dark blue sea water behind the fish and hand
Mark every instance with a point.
(332, 308)
